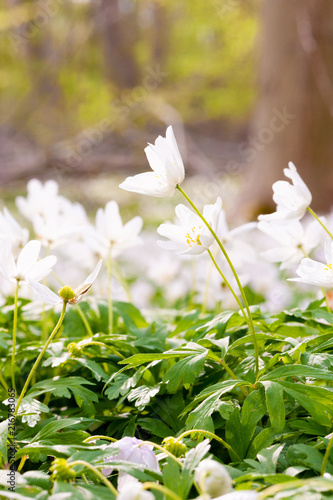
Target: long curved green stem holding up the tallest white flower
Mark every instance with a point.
(251, 325)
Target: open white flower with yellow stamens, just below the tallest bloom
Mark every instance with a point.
(192, 236)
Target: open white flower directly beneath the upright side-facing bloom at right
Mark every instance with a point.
(294, 241)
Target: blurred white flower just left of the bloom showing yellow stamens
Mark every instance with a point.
(109, 233)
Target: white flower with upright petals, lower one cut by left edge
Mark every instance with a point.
(27, 266)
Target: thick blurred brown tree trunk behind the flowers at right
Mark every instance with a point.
(293, 119)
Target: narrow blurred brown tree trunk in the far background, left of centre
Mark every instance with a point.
(116, 24)
